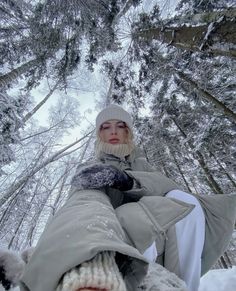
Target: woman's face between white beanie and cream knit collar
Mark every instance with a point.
(114, 132)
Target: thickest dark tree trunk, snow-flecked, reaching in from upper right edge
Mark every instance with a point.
(217, 38)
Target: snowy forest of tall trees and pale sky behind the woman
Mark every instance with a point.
(171, 64)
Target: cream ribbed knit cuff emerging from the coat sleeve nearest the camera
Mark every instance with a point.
(100, 273)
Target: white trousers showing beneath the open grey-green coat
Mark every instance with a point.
(190, 233)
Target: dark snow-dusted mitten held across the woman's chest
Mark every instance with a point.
(98, 176)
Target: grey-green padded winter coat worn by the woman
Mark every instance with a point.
(125, 222)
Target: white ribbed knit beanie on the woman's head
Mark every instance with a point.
(113, 112)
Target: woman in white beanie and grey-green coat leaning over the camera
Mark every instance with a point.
(122, 214)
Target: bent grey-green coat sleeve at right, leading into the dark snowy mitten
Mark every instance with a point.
(150, 182)
